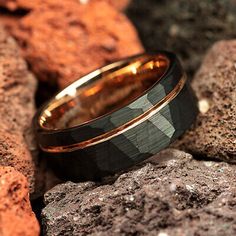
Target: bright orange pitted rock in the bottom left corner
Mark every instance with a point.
(16, 216)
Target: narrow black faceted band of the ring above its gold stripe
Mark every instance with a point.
(115, 119)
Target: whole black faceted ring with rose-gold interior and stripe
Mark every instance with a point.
(116, 116)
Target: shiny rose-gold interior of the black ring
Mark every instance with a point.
(103, 91)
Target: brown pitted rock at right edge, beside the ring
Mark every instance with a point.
(214, 134)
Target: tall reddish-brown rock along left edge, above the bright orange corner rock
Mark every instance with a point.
(17, 88)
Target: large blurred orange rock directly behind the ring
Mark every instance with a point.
(60, 51)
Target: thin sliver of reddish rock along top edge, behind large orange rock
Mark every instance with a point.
(13, 5)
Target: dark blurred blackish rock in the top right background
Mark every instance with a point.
(184, 26)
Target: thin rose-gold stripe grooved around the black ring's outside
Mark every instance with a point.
(123, 128)
